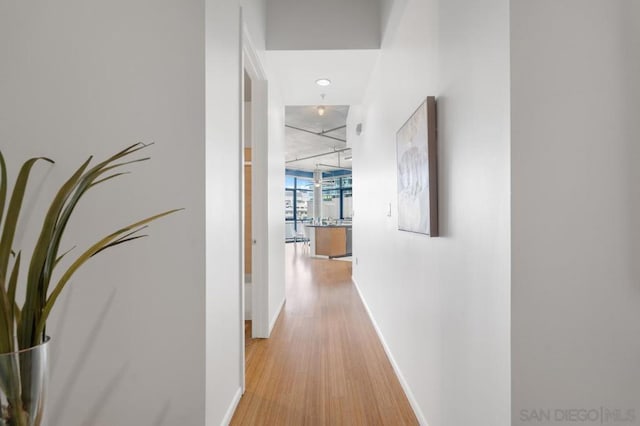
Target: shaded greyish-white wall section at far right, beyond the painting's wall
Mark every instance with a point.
(576, 205)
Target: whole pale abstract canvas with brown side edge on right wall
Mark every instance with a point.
(417, 155)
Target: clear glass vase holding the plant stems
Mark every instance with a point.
(23, 386)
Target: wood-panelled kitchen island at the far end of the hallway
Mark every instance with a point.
(329, 240)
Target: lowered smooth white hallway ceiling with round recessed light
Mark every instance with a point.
(295, 72)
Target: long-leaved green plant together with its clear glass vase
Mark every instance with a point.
(23, 338)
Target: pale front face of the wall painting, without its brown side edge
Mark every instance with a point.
(413, 173)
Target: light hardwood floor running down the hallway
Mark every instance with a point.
(323, 364)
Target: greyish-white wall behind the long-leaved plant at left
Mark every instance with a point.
(80, 78)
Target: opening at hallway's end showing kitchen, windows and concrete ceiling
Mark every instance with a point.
(318, 181)
